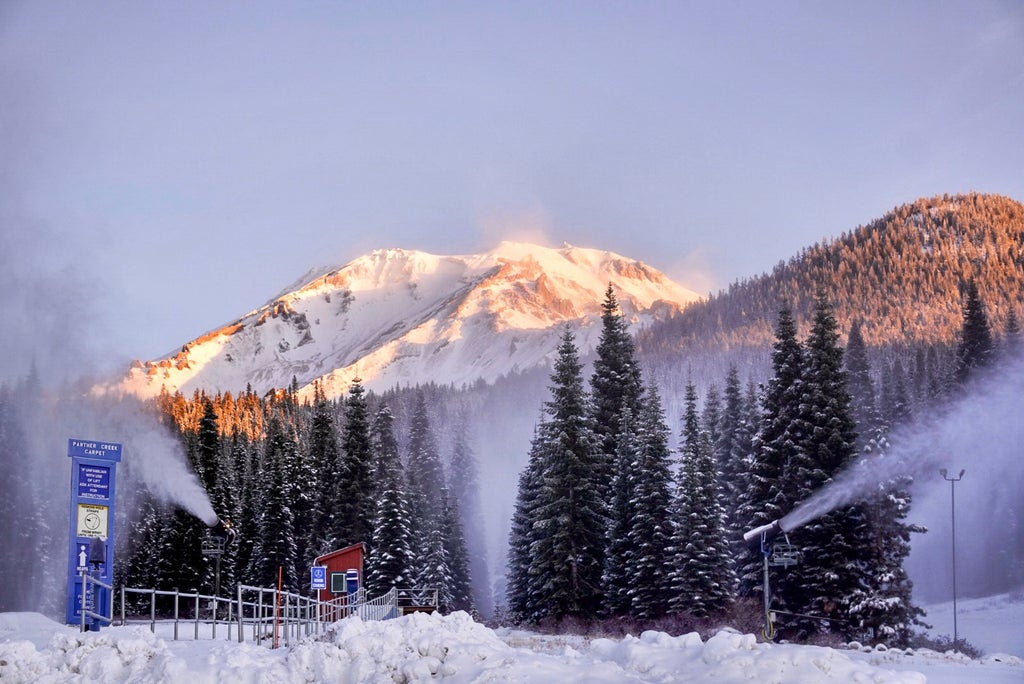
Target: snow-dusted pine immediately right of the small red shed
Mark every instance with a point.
(391, 554)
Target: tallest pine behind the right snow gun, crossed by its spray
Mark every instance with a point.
(834, 571)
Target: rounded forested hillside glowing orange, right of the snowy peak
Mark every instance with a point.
(904, 276)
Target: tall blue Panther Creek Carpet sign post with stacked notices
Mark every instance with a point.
(92, 525)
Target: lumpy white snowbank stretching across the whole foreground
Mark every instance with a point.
(454, 649)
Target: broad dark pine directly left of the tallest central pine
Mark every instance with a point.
(570, 517)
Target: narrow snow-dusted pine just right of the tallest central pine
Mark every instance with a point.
(651, 530)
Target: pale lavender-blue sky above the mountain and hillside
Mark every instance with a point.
(168, 166)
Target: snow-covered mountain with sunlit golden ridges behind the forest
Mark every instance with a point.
(402, 318)
